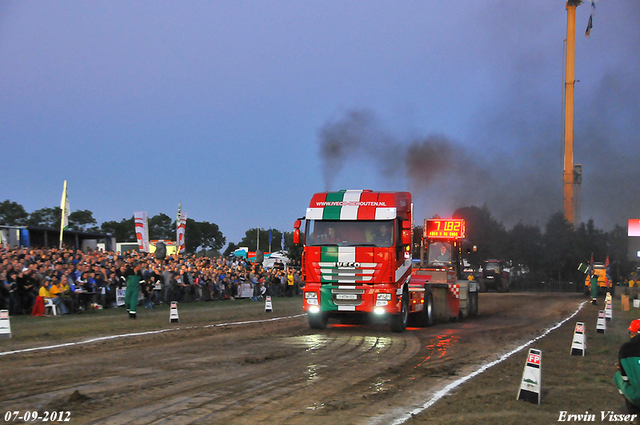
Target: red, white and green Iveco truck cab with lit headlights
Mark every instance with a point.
(356, 259)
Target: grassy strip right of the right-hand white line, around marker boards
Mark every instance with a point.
(572, 384)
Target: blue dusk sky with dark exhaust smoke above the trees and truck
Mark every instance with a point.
(241, 110)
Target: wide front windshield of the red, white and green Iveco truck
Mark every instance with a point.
(378, 233)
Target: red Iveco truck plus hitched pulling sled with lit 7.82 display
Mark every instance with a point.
(357, 262)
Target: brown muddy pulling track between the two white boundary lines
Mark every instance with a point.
(275, 372)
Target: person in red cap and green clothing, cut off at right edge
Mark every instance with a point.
(628, 377)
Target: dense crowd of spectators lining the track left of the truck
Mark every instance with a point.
(77, 280)
